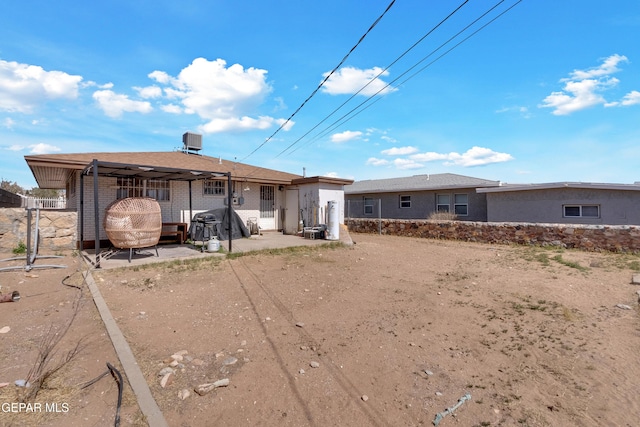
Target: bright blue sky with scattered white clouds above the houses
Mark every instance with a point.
(549, 91)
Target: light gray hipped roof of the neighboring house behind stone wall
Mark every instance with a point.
(418, 183)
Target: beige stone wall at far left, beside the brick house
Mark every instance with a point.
(58, 229)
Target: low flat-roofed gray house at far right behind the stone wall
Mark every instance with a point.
(564, 202)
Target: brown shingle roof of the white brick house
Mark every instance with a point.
(52, 170)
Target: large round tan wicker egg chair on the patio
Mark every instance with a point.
(133, 222)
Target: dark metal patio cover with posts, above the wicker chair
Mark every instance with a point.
(97, 168)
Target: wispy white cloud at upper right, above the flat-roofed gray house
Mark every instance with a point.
(583, 88)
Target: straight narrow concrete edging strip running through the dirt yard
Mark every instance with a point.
(146, 402)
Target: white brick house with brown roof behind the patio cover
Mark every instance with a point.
(184, 183)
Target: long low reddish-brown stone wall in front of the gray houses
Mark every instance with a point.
(614, 238)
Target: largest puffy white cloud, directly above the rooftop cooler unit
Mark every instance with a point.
(225, 96)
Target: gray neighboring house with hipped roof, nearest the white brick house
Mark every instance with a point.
(418, 196)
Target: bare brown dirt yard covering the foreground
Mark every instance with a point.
(388, 332)
